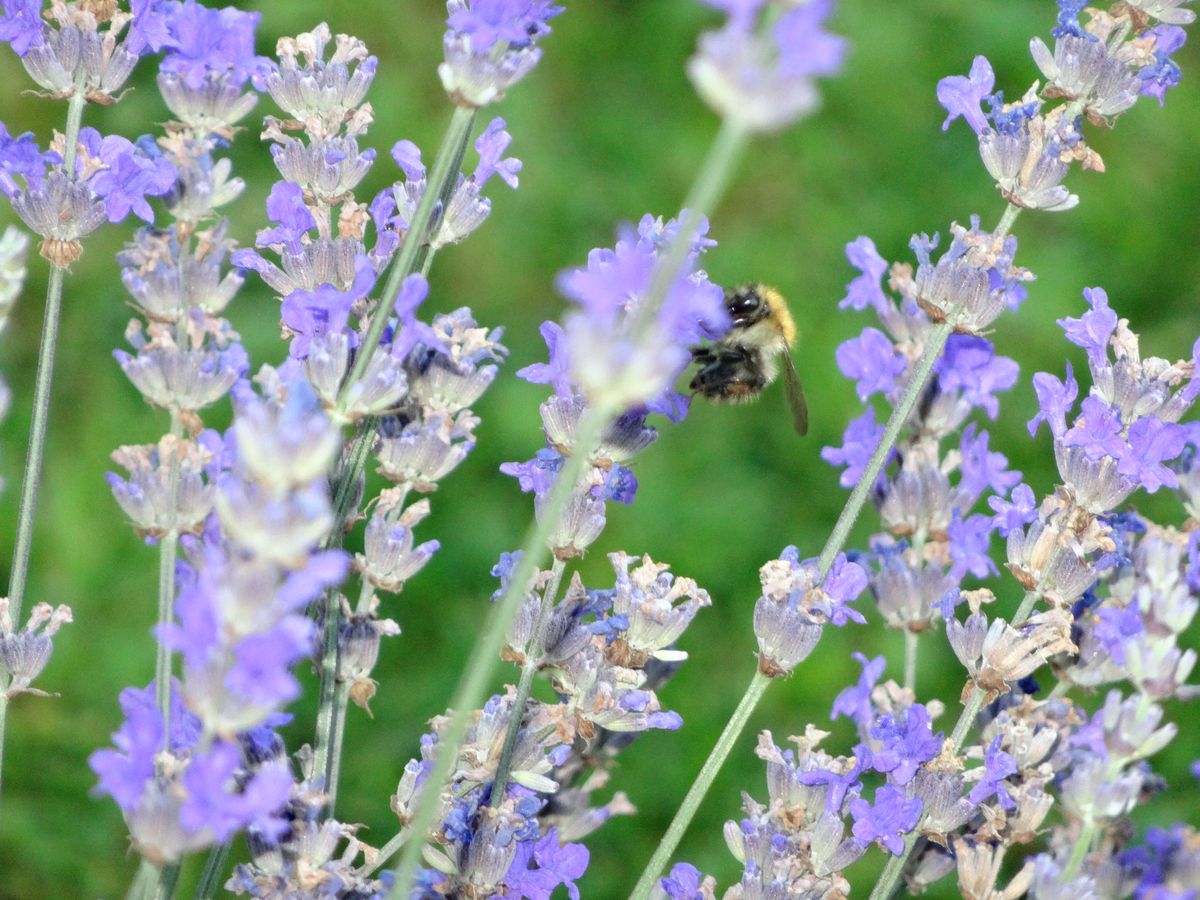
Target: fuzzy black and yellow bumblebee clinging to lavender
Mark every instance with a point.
(737, 368)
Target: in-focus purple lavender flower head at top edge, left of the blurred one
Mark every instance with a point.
(490, 46)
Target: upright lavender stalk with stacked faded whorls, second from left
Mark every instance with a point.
(188, 357)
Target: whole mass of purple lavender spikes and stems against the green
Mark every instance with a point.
(505, 790)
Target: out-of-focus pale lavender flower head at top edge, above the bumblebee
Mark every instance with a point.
(759, 71)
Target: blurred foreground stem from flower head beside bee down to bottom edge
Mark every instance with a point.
(484, 658)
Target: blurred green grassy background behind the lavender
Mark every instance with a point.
(609, 129)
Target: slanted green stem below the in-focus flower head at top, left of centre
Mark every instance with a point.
(451, 152)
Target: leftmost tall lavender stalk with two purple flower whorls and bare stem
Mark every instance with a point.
(81, 53)
